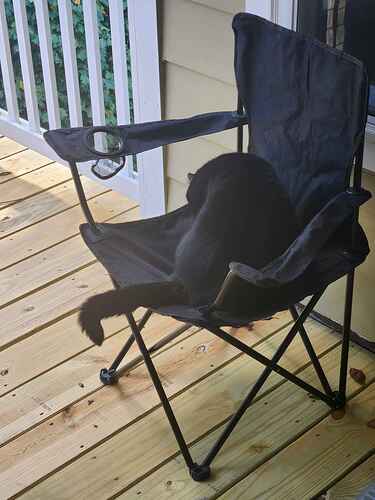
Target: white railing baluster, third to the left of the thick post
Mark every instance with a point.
(70, 62)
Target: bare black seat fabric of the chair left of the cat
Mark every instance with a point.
(144, 251)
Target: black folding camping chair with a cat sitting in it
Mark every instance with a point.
(305, 105)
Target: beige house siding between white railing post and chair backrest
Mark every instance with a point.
(197, 77)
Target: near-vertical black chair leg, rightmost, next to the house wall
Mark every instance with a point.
(346, 339)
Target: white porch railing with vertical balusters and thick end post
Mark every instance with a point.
(144, 183)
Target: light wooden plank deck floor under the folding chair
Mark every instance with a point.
(64, 436)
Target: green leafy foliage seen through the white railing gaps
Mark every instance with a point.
(79, 31)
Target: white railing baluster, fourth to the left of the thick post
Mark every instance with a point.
(48, 66)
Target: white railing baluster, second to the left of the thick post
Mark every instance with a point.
(94, 62)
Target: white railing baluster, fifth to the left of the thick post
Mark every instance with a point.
(27, 68)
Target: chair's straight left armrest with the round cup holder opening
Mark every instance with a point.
(71, 144)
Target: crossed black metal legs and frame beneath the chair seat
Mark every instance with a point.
(200, 472)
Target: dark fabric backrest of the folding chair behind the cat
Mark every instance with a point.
(307, 108)
